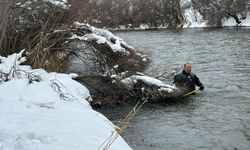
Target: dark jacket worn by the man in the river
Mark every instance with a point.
(187, 81)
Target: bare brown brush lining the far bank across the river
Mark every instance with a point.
(160, 13)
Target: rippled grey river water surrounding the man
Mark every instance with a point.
(217, 118)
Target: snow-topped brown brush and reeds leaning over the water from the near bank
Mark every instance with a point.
(51, 40)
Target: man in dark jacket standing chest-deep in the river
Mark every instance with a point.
(186, 80)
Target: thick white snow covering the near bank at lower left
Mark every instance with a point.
(40, 110)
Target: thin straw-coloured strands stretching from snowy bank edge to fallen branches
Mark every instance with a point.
(122, 125)
